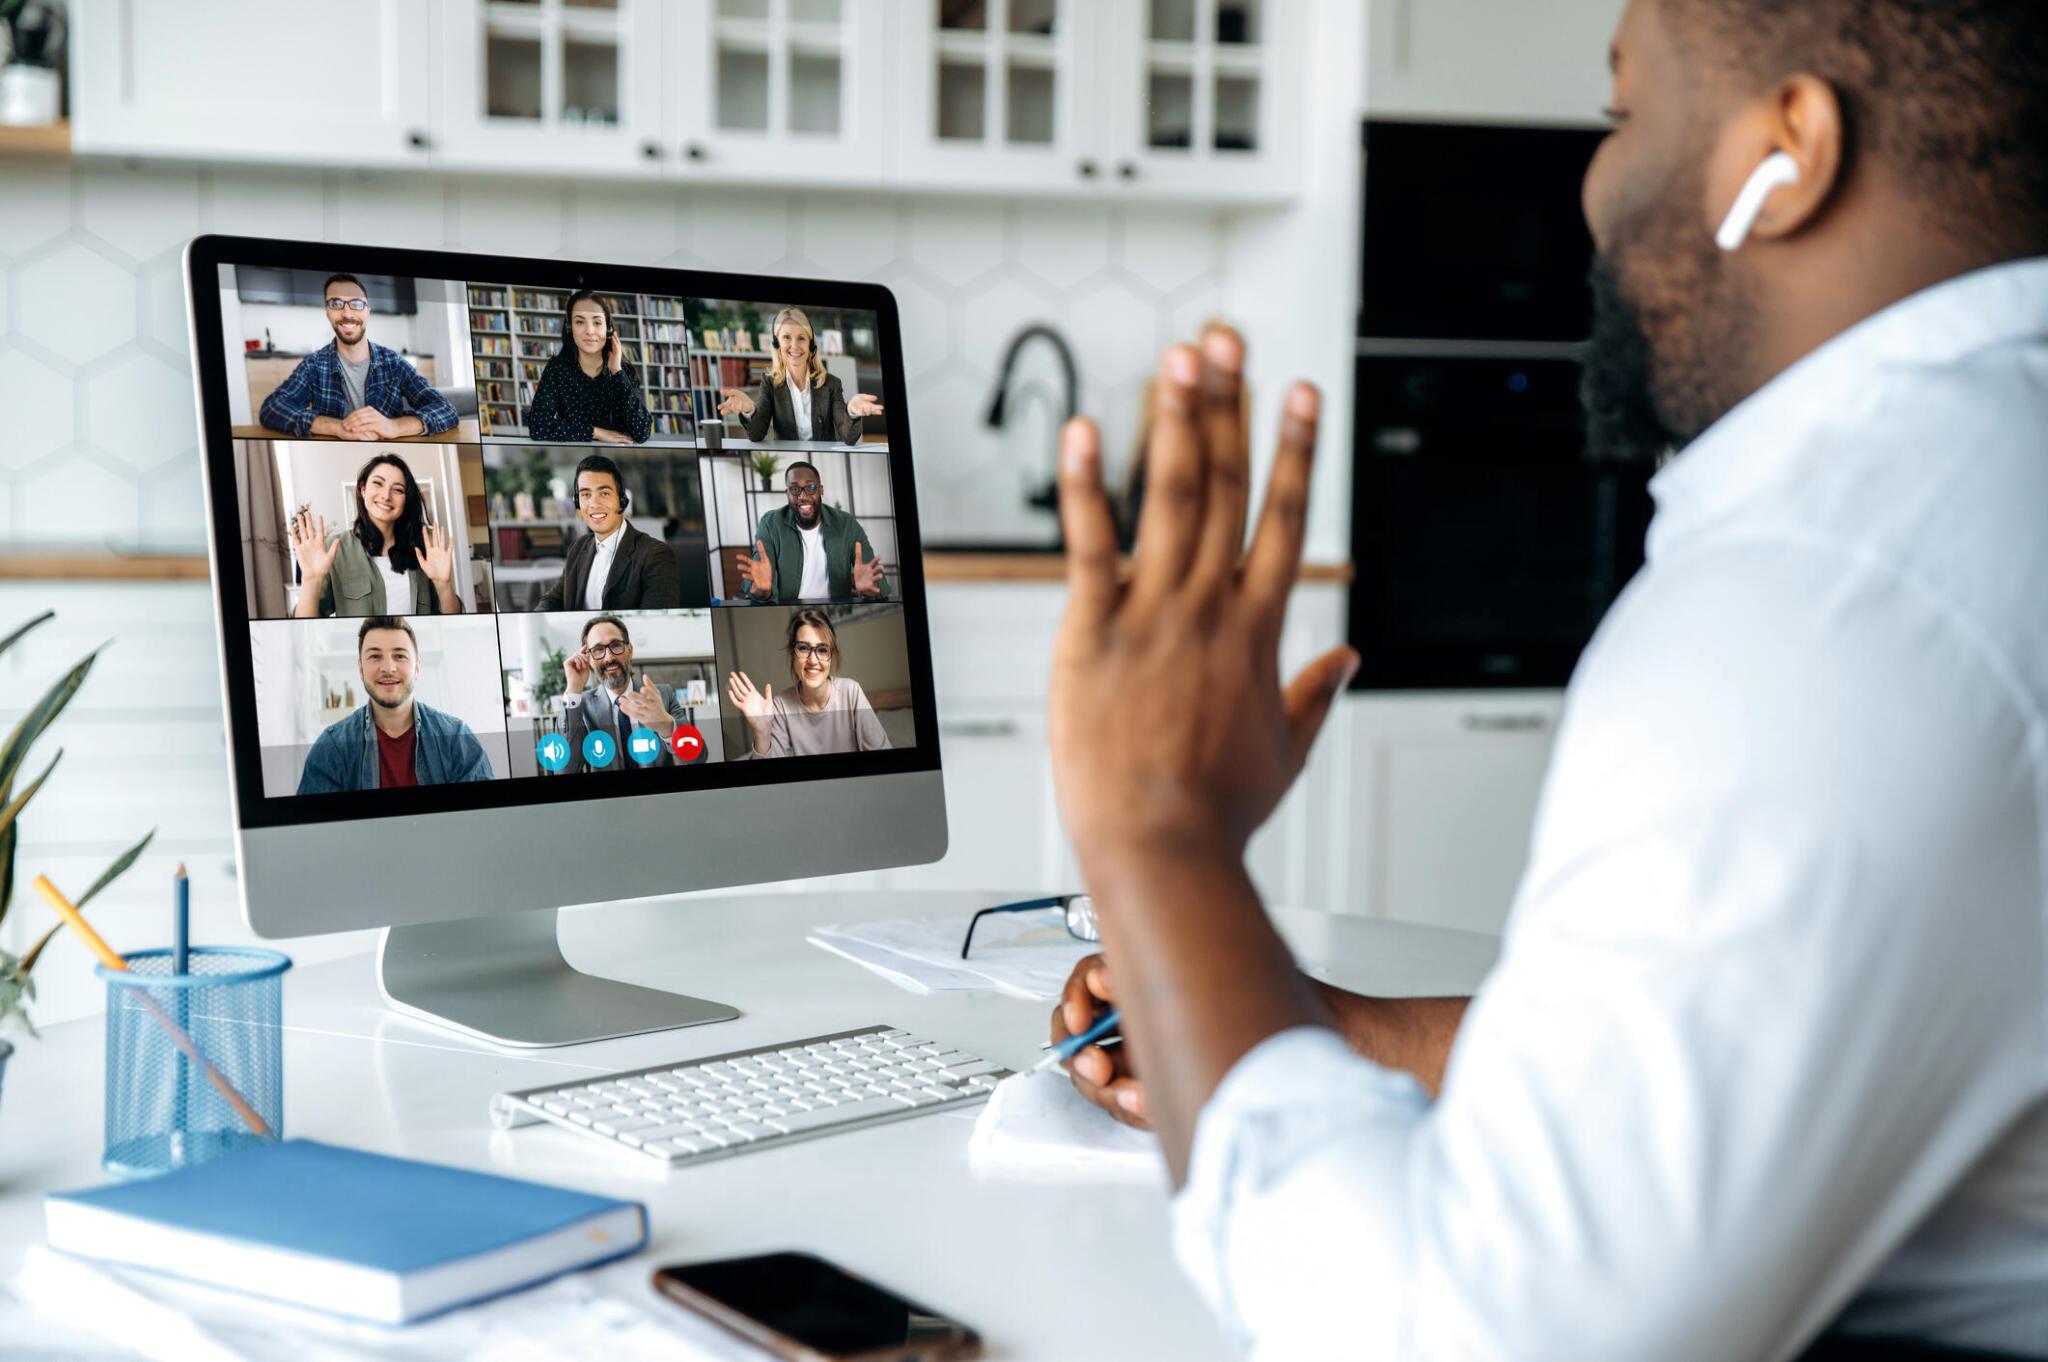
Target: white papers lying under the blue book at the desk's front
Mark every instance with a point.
(603, 1314)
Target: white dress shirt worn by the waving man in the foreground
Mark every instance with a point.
(1768, 1041)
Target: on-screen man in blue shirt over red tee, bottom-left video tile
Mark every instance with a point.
(392, 740)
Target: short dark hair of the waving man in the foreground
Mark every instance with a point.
(1953, 95)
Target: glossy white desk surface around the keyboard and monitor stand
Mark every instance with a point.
(1041, 1271)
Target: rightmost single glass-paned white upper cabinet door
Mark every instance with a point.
(1201, 97)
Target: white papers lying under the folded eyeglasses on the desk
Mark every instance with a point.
(1027, 955)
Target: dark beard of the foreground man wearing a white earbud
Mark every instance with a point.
(1670, 341)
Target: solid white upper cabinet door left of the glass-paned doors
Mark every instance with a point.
(335, 83)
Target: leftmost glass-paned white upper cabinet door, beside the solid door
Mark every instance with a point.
(552, 85)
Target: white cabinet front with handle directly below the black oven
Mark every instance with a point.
(1443, 800)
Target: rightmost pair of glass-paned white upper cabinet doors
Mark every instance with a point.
(1162, 99)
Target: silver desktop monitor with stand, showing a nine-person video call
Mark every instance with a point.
(546, 583)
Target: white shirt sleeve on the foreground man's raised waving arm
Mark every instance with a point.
(1770, 990)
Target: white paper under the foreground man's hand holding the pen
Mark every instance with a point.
(1037, 1125)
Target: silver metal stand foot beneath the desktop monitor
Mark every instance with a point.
(505, 980)
